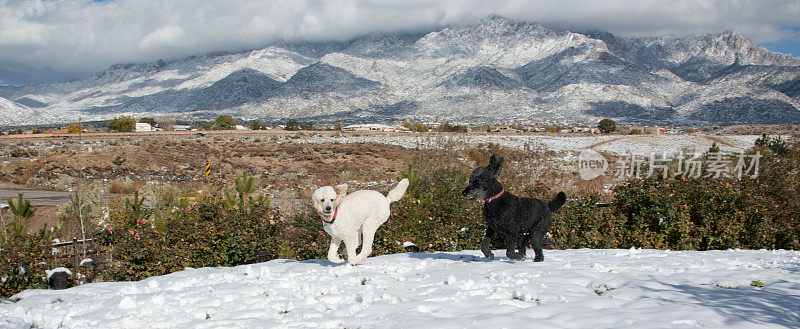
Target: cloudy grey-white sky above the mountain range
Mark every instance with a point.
(59, 39)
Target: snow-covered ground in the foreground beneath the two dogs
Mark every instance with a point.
(571, 289)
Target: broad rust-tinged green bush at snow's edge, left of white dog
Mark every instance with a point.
(204, 233)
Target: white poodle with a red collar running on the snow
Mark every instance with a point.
(349, 217)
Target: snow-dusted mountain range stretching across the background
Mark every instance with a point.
(497, 70)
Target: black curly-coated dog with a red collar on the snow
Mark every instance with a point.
(519, 221)
